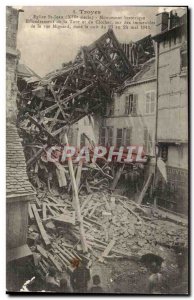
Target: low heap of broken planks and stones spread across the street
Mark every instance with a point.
(113, 230)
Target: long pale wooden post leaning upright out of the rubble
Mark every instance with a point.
(76, 201)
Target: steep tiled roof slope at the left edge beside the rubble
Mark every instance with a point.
(17, 182)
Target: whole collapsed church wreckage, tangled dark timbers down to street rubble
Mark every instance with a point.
(78, 211)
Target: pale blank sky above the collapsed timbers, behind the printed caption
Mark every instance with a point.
(44, 50)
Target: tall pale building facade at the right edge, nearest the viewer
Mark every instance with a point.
(172, 125)
